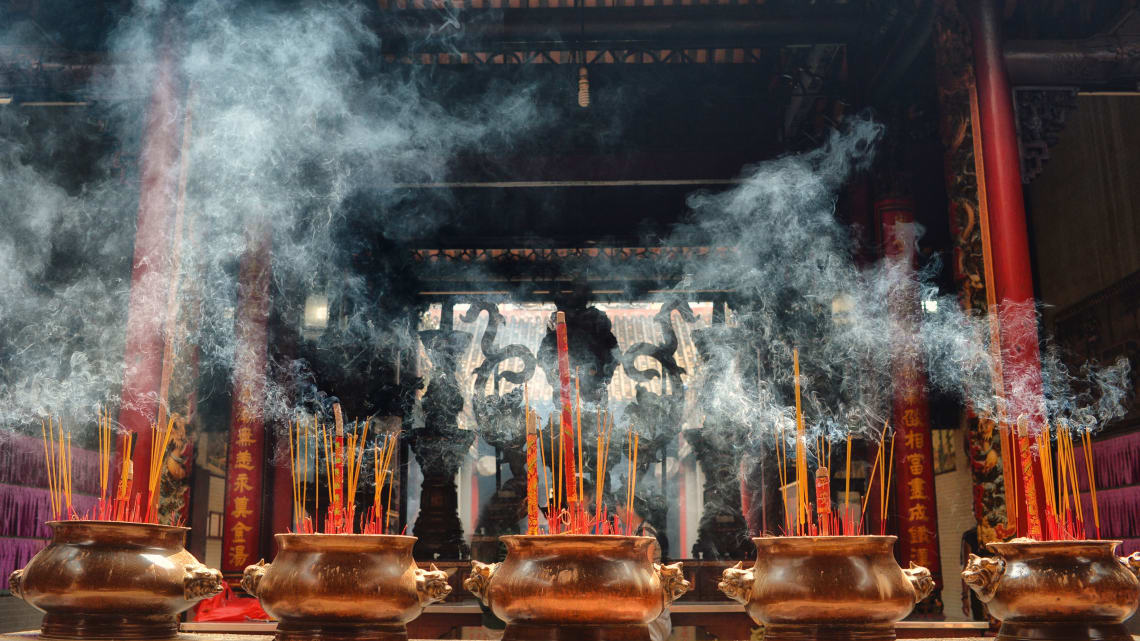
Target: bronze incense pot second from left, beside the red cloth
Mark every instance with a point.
(357, 587)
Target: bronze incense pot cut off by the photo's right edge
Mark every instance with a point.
(1058, 590)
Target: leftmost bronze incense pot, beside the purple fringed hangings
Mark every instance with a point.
(113, 580)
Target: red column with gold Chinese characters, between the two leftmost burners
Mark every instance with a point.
(247, 434)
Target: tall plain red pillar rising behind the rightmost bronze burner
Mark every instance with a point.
(1021, 362)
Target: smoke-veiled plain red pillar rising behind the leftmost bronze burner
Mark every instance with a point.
(150, 266)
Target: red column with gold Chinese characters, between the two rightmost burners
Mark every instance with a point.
(918, 516)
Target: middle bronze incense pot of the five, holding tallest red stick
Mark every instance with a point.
(580, 588)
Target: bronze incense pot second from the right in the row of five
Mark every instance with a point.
(835, 588)
